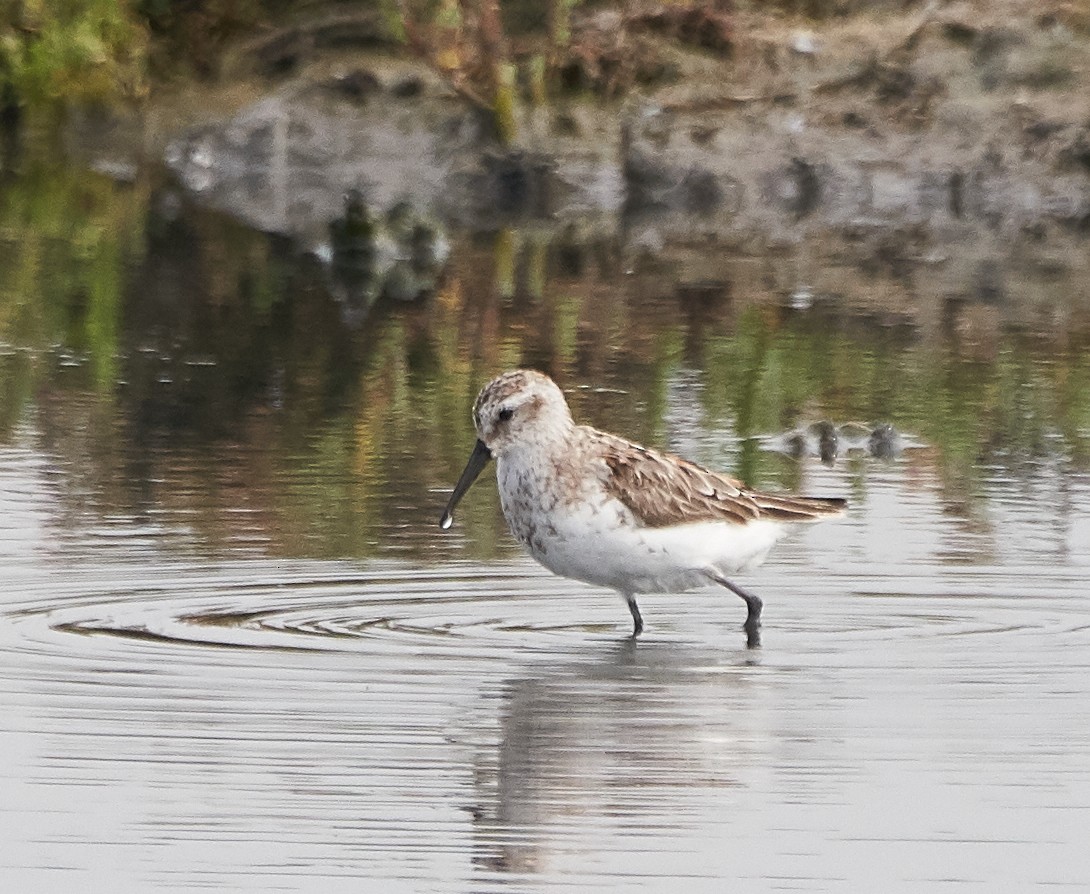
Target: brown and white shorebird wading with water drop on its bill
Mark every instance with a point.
(601, 510)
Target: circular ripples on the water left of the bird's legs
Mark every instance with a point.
(312, 610)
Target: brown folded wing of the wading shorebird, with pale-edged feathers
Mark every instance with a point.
(663, 490)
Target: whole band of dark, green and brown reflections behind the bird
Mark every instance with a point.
(246, 385)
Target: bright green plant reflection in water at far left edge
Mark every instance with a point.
(66, 241)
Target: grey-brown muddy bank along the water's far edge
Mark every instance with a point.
(935, 117)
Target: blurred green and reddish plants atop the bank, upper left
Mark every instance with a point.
(60, 53)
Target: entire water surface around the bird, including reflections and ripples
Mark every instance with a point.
(237, 653)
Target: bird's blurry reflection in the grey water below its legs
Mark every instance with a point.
(617, 745)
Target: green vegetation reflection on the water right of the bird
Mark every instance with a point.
(1026, 405)
